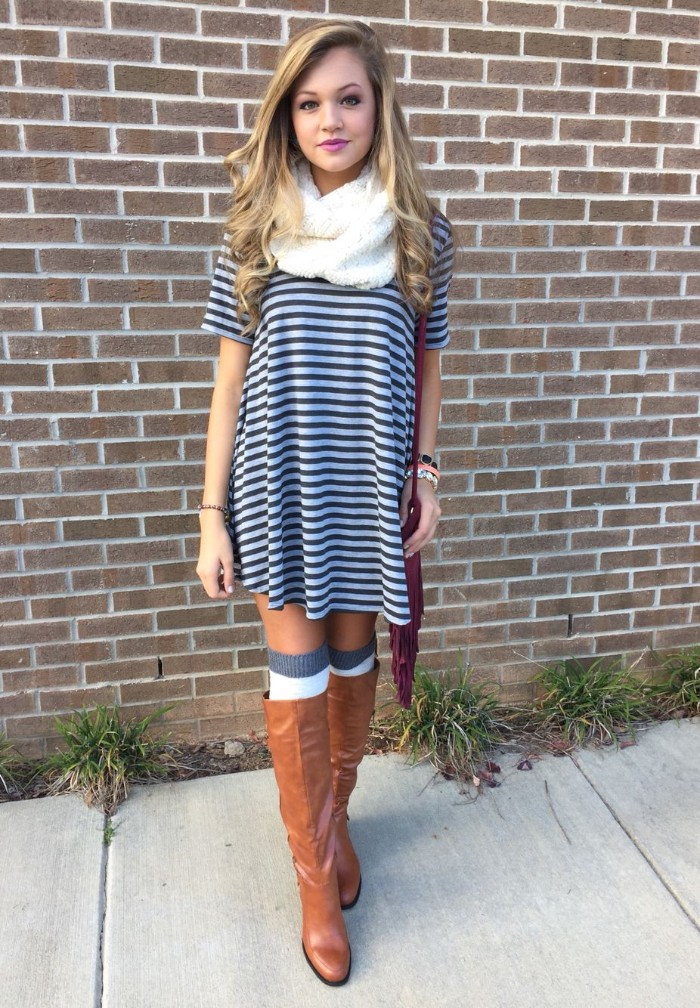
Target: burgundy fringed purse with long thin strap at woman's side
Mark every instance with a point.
(404, 638)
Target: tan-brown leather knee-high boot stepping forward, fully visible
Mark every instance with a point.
(298, 738)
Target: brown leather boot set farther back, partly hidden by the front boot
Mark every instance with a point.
(351, 709)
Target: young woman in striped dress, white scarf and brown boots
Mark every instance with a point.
(332, 253)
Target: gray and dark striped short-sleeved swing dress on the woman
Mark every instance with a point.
(324, 436)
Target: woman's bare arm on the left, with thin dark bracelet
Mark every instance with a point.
(216, 552)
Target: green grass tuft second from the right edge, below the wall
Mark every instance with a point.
(592, 702)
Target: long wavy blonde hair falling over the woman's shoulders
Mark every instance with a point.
(267, 202)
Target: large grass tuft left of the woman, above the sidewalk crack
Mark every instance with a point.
(105, 755)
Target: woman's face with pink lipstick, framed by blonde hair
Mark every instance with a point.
(333, 115)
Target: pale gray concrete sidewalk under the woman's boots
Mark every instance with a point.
(574, 885)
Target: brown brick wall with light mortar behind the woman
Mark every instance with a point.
(562, 140)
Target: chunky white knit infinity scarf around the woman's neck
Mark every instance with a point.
(345, 237)
